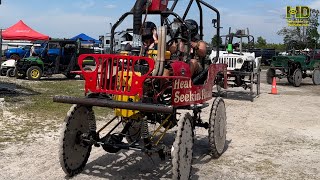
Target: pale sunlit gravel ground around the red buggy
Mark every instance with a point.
(274, 137)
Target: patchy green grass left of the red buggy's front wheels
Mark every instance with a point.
(38, 112)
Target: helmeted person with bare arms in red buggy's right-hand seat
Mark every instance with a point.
(198, 47)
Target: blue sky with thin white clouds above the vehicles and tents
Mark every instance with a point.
(65, 18)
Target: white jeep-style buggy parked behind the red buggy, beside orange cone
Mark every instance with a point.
(243, 66)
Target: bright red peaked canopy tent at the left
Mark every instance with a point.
(20, 31)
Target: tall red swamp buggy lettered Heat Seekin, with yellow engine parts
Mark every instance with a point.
(134, 87)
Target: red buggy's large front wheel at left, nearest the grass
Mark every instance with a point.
(73, 152)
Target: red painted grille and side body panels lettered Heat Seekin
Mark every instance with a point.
(107, 78)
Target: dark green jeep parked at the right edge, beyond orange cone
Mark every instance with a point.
(295, 66)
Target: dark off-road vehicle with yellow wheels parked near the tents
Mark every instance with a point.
(60, 58)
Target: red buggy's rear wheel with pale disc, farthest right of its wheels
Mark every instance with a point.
(217, 128)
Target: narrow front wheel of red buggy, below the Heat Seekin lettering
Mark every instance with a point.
(182, 148)
